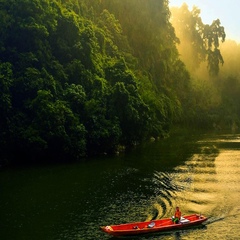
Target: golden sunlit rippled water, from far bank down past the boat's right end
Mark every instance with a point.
(208, 183)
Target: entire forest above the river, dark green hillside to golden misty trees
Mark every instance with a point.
(86, 77)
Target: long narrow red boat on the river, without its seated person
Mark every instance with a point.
(161, 225)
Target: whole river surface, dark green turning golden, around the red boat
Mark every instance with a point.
(198, 173)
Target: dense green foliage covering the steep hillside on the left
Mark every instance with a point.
(75, 81)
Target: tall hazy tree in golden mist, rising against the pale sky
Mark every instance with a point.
(198, 41)
